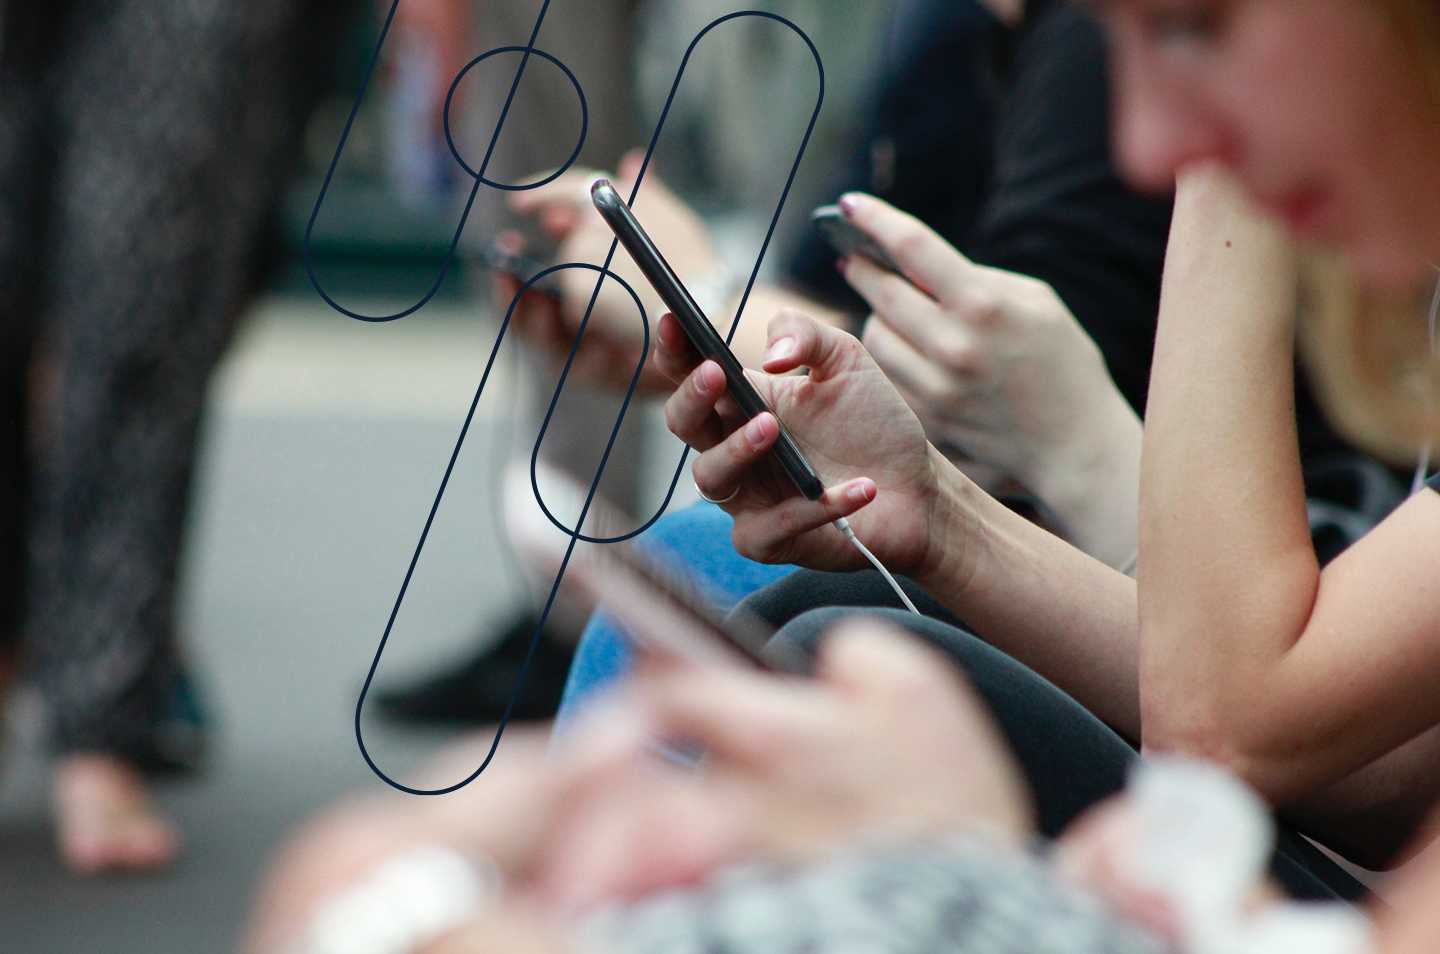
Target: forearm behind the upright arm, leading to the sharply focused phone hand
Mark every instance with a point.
(1061, 612)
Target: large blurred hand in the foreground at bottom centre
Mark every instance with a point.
(886, 743)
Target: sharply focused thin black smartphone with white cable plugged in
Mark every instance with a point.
(698, 328)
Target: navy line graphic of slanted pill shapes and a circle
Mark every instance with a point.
(604, 272)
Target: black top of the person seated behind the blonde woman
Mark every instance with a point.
(1000, 139)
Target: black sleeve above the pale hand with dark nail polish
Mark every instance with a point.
(1058, 208)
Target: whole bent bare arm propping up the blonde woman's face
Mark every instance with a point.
(1249, 654)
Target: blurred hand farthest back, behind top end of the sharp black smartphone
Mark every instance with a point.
(565, 213)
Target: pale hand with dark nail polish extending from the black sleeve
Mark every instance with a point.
(993, 362)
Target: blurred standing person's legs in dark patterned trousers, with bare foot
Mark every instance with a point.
(143, 149)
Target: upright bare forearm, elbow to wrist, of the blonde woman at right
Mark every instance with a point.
(1228, 567)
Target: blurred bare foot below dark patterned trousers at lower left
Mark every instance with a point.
(106, 819)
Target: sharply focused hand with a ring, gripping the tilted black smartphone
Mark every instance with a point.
(853, 427)
